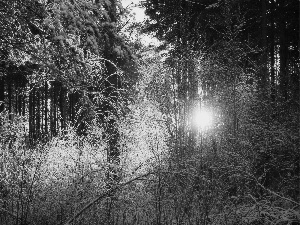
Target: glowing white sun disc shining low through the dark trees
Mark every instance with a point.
(203, 118)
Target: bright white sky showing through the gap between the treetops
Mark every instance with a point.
(139, 15)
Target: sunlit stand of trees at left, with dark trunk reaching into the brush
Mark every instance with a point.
(64, 57)
